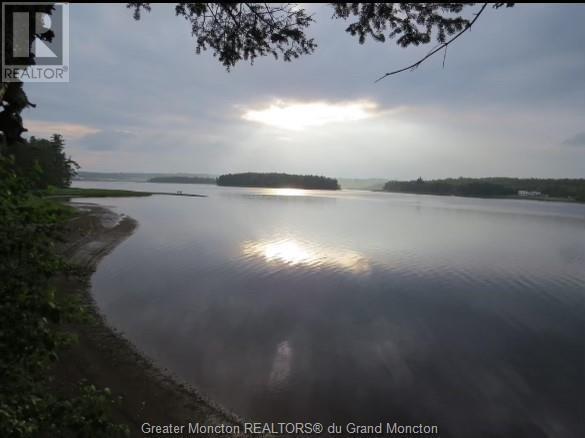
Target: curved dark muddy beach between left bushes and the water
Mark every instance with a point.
(102, 356)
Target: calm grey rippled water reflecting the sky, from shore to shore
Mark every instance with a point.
(357, 306)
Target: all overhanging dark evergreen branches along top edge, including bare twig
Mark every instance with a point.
(237, 31)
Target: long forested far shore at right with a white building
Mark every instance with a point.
(572, 189)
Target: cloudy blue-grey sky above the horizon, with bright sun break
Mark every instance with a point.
(509, 101)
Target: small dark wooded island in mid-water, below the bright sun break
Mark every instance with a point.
(278, 180)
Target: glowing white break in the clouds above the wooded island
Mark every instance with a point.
(298, 116)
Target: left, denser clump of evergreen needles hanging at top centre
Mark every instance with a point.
(236, 31)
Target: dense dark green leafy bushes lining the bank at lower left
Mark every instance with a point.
(30, 317)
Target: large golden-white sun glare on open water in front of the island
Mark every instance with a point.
(294, 252)
